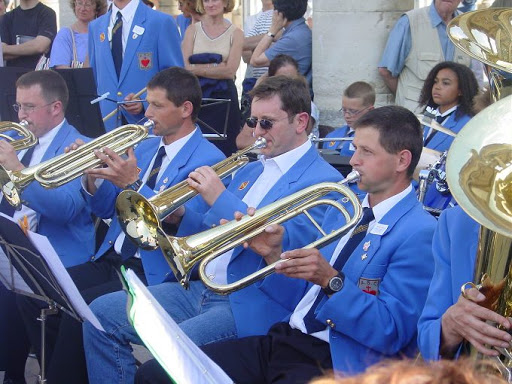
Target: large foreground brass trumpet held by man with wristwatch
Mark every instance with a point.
(183, 253)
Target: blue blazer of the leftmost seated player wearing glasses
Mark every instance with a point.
(62, 213)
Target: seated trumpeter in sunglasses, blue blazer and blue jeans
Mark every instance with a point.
(280, 114)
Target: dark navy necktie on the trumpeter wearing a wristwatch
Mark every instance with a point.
(310, 321)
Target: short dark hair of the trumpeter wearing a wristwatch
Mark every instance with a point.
(398, 128)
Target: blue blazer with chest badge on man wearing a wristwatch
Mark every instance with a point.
(366, 327)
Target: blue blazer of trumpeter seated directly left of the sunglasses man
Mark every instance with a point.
(195, 153)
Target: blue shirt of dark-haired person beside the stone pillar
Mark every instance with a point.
(297, 43)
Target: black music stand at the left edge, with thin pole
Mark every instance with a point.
(23, 270)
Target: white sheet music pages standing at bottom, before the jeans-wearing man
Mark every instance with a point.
(177, 354)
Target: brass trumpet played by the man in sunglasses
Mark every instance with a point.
(140, 217)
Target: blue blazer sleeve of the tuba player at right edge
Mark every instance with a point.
(454, 247)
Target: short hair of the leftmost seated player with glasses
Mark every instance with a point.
(53, 86)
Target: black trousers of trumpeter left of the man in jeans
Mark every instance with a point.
(65, 360)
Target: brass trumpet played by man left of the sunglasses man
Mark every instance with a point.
(68, 166)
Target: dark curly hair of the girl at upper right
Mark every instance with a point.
(468, 86)
